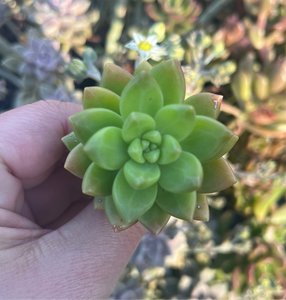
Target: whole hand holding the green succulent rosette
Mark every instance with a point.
(53, 244)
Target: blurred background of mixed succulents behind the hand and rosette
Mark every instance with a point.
(236, 48)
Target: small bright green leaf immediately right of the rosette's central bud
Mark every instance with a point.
(170, 150)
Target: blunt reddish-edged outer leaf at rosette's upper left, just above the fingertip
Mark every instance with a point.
(98, 97)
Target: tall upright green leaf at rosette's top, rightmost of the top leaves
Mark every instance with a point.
(171, 80)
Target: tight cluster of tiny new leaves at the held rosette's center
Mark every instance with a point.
(146, 148)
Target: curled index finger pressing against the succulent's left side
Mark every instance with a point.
(30, 145)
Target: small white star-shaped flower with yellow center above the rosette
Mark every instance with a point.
(146, 46)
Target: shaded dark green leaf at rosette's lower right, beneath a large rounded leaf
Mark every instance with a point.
(181, 206)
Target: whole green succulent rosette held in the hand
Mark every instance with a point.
(146, 154)
